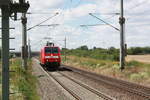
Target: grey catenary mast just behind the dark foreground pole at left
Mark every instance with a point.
(24, 41)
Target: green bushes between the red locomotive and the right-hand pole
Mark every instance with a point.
(96, 53)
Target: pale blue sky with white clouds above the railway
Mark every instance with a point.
(74, 13)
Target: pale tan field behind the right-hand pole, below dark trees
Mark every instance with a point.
(140, 58)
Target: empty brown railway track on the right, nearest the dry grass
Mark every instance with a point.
(110, 81)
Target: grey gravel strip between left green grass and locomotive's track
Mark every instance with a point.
(47, 88)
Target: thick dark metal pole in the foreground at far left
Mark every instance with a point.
(5, 53)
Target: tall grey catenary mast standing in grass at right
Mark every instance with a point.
(122, 44)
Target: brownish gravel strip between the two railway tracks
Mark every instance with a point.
(112, 91)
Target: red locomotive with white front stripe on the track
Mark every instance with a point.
(50, 56)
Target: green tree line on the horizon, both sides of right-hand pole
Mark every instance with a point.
(111, 53)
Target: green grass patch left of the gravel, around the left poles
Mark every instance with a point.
(22, 83)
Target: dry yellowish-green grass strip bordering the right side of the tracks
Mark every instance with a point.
(135, 71)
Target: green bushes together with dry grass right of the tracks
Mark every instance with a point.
(106, 61)
